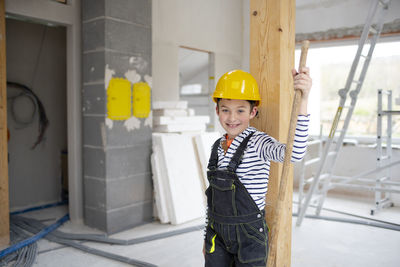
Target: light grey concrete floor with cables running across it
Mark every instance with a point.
(315, 243)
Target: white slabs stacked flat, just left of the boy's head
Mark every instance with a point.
(174, 116)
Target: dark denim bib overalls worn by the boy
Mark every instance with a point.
(236, 234)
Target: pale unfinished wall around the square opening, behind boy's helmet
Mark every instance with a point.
(214, 26)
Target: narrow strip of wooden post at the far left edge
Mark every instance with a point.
(4, 209)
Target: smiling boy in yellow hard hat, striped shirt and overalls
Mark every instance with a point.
(236, 232)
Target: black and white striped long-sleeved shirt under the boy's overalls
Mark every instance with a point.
(253, 171)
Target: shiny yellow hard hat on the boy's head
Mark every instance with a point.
(237, 84)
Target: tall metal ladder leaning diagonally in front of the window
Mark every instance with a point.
(373, 27)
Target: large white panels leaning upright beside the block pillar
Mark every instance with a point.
(179, 194)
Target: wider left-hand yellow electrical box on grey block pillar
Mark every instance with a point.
(119, 99)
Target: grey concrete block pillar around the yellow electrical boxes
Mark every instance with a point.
(117, 176)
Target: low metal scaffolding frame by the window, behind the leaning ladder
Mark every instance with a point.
(383, 186)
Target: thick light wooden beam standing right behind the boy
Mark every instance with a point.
(272, 44)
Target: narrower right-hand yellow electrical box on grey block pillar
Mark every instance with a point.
(141, 100)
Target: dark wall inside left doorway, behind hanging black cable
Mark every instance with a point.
(36, 57)
